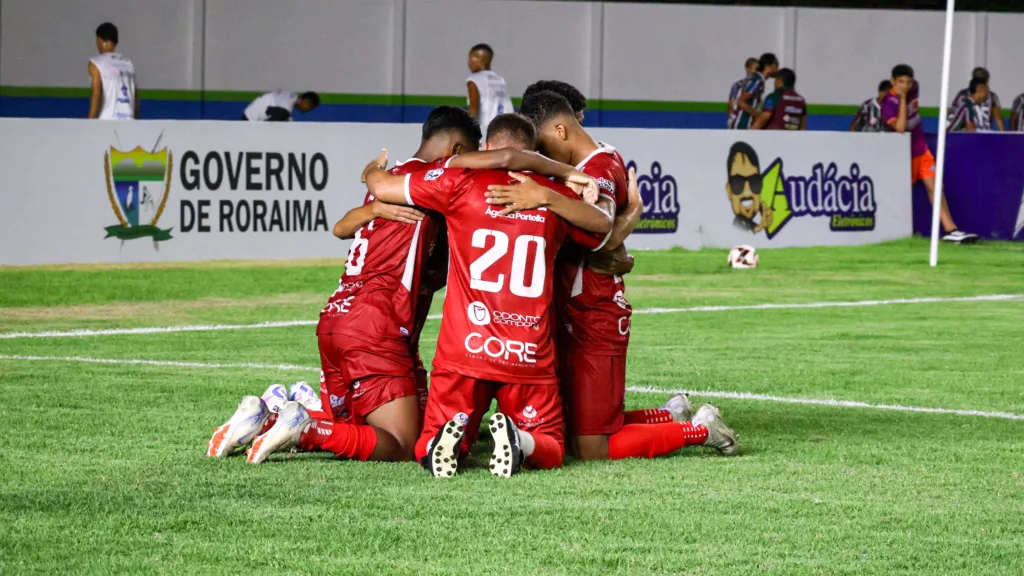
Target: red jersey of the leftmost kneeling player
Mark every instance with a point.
(379, 295)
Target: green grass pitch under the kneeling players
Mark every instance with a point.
(103, 468)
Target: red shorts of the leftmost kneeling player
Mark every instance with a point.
(358, 379)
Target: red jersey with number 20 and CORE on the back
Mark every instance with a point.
(497, 322)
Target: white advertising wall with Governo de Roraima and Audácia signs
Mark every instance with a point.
(76, 191)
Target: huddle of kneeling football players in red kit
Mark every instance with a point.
(535, 314)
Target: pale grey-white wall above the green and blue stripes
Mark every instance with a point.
(613, 51)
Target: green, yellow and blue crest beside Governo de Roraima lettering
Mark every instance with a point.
(139, 184)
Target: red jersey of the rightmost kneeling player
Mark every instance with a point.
(592, 307)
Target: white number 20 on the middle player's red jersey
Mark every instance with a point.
(521, 254)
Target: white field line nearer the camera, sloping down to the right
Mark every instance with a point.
(638, 390)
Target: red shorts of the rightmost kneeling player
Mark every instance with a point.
(594, 388)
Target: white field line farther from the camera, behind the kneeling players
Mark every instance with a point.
(291, 323)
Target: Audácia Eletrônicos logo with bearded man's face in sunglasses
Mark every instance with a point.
(767, 200)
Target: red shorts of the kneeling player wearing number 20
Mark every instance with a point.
(535, 408)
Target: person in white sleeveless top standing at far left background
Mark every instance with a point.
(115, 96)
